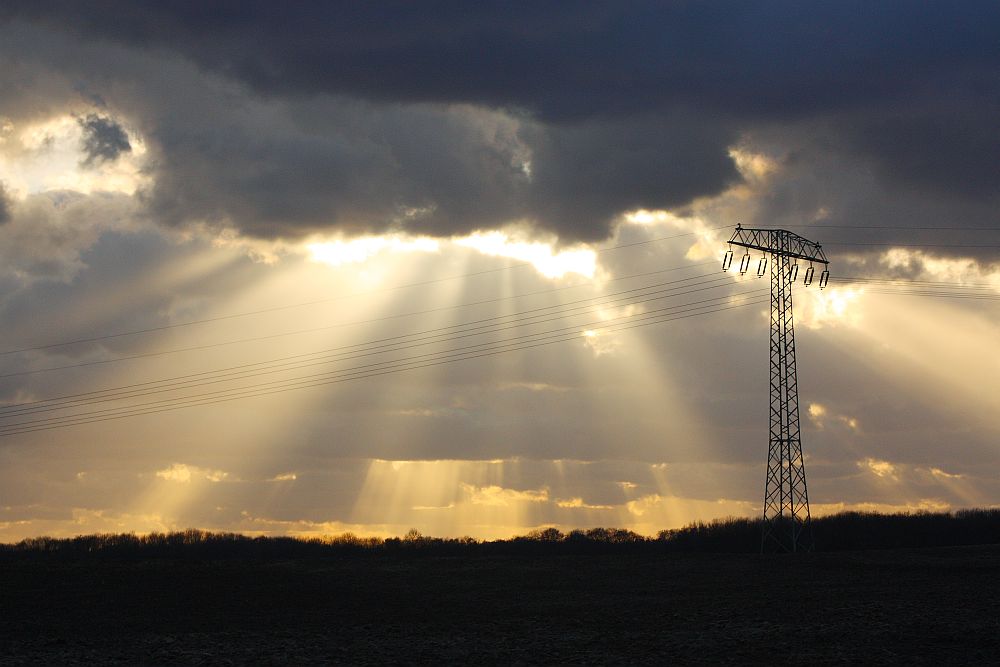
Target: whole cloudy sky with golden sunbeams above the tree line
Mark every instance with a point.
(456, 267)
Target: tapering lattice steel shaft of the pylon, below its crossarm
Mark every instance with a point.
(786, 500)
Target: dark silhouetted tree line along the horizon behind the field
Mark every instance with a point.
(837, 532)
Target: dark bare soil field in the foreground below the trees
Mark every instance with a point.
(897, 606)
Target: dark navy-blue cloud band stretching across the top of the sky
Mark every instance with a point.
(570, 59)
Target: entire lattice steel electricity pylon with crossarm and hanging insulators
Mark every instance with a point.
(786, 499)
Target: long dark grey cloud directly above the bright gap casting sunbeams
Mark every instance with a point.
(430, 170)
